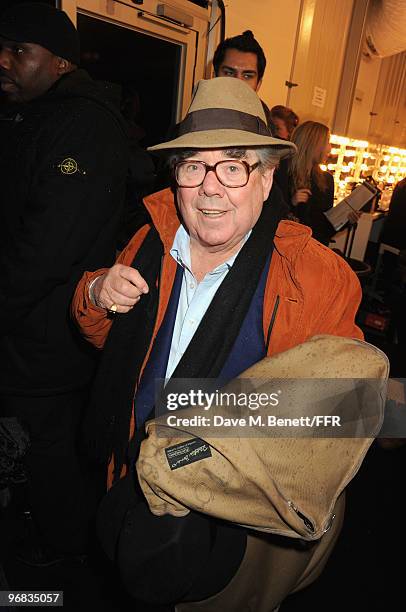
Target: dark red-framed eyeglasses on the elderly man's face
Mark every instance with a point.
(230, 172)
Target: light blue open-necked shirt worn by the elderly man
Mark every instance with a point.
(194, 298)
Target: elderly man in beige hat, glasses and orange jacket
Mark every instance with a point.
(215, 282)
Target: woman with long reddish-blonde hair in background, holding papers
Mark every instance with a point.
(312, 189)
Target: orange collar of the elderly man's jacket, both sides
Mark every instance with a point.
(290, 238)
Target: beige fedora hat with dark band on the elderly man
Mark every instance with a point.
(225, 112)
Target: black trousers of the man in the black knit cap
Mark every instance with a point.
(63, 488)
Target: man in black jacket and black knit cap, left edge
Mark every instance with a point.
(64, 158)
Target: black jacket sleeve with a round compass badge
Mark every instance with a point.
(76, 191)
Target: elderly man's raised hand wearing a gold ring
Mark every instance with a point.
(121, 286)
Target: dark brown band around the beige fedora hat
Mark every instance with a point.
(222, 119)
